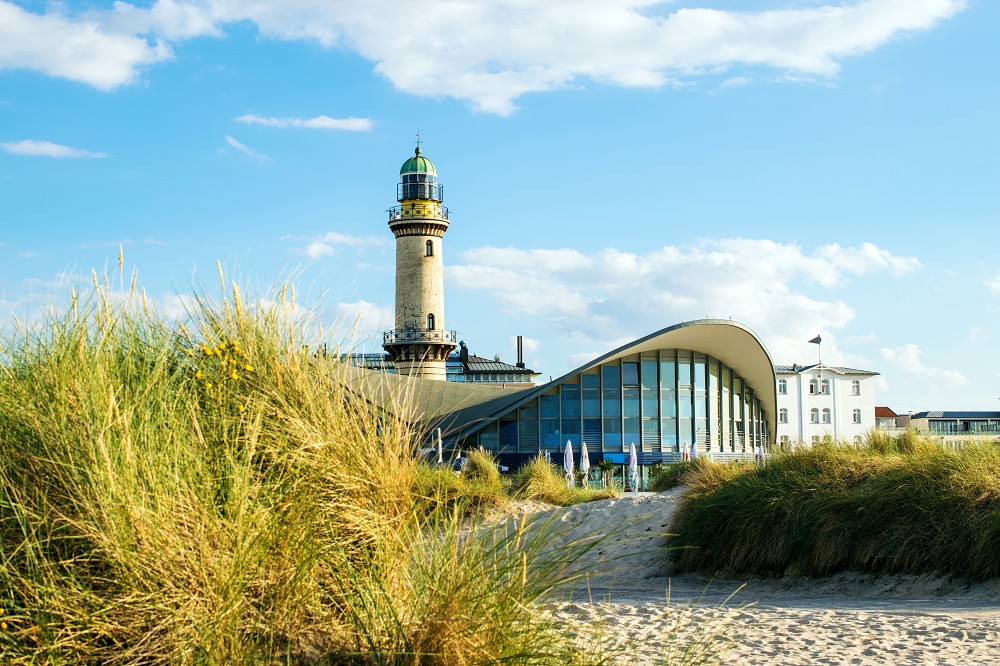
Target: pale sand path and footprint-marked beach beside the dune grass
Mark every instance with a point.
(843, 619)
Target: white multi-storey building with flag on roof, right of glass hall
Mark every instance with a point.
(817, 401)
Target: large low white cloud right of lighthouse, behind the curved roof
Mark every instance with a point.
(605, 299)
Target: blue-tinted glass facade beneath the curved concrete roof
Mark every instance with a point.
(662, 401)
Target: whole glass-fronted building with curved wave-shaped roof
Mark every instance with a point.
(708, 383)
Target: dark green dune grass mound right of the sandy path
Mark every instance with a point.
(897, 505)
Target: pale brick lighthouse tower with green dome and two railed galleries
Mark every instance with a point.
(419, 344)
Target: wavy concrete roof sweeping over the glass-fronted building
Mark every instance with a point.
(461, 409)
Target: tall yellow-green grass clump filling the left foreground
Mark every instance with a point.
(213, 494)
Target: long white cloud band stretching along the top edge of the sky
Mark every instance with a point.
(489, 53)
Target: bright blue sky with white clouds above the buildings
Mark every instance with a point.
(611, 167)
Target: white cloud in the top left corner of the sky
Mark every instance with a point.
(76, 48)
